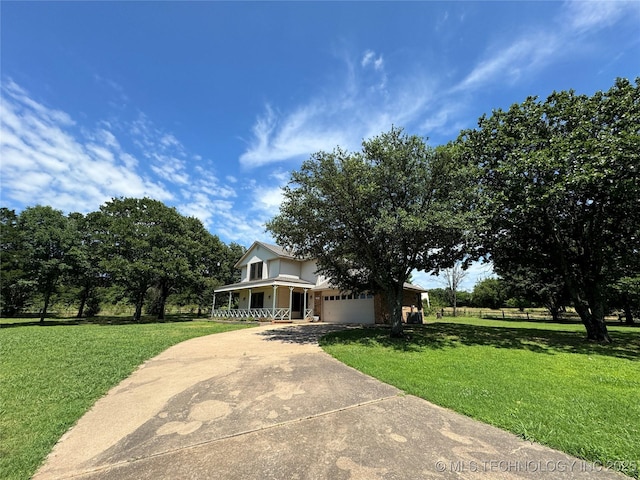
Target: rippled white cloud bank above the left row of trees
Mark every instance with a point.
(47, 160)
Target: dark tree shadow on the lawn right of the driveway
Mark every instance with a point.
(448, 335)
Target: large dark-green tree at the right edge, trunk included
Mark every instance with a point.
(561, 187)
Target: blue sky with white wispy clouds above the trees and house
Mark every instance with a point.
(208, 106)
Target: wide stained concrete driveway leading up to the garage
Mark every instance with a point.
(268, 403)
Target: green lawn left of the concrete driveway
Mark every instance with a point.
(51, 374)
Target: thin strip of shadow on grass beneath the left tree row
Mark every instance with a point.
(99, 320)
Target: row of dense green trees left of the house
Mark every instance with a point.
(136, 250)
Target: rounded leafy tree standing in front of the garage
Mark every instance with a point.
(370, 218)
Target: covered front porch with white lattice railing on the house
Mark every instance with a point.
(275, 300)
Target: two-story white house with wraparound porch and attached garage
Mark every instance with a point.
(276, 285)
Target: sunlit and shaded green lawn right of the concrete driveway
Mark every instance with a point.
(541, 381)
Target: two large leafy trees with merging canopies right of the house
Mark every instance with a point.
(548, 191)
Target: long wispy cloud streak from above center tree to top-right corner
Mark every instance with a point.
(370, 99)
